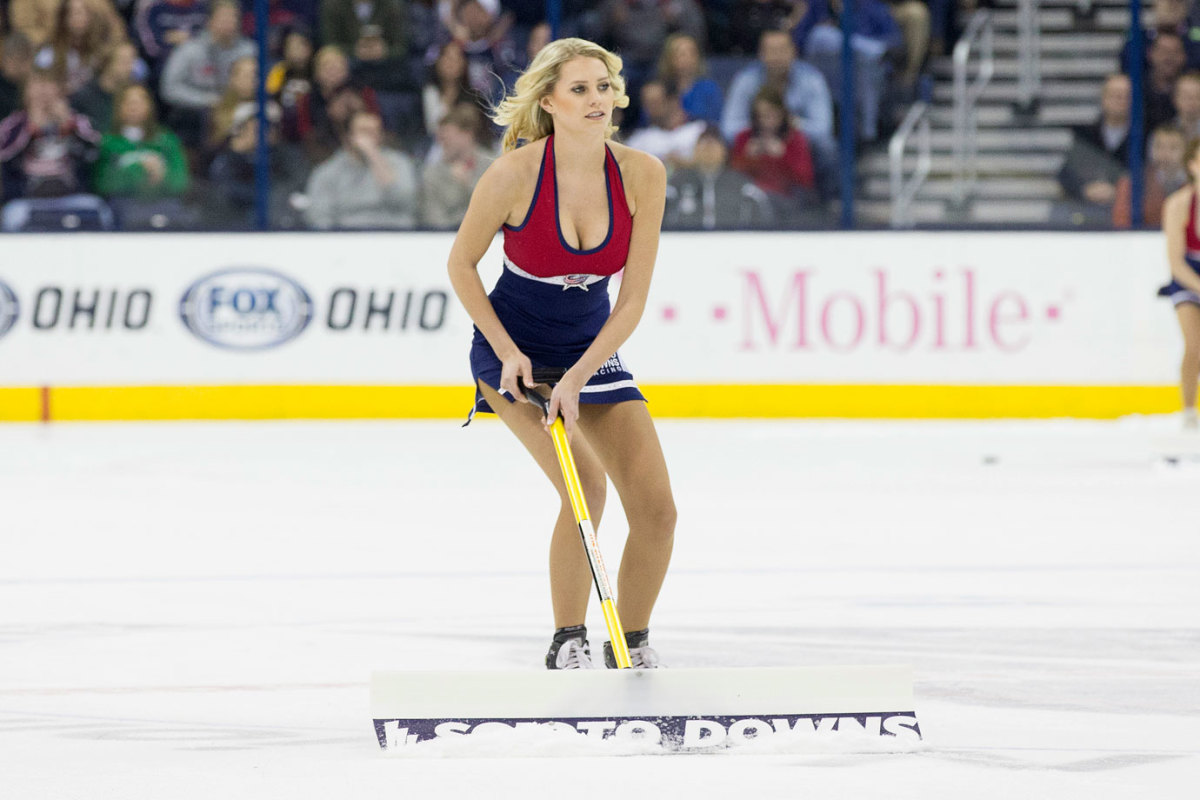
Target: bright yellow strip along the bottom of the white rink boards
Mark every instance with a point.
(861, 401)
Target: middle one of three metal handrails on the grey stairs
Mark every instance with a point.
(967, 118)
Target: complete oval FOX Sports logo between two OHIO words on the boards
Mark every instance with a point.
(247, 309)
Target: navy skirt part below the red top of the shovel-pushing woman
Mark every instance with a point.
(553, 324)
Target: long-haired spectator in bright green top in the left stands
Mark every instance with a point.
(139, 158)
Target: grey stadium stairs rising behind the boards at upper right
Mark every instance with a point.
(1021, 151)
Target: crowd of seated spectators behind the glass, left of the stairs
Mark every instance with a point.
(143, 115)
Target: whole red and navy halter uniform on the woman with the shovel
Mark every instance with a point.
(553, 298)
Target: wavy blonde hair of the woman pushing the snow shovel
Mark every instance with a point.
(521, 115)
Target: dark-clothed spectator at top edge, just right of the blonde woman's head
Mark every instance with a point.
(637, 31)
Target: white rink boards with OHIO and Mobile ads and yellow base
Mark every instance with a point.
(736, 326)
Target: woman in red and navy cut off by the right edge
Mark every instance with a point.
(1184, 260)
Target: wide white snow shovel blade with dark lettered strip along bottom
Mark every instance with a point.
(677, 709)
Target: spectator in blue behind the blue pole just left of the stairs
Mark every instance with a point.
(877, 43)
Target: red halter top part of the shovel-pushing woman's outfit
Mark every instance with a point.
(537, 246)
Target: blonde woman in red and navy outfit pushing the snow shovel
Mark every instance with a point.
(575, 209)
